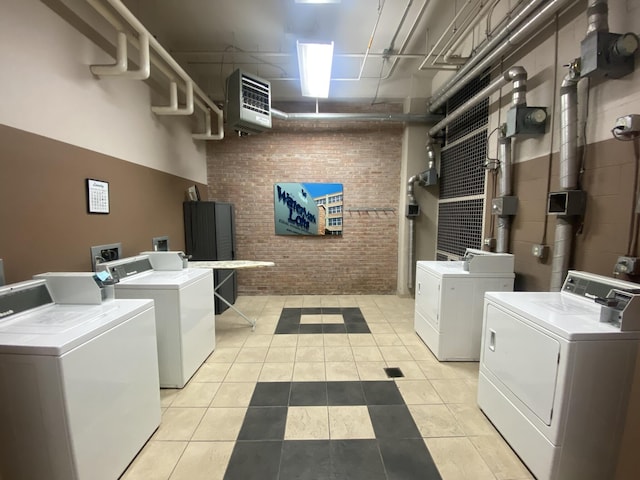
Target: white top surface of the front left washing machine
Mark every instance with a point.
(56, 329)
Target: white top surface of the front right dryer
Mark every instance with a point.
(570, 317)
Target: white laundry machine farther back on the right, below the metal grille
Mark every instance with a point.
(449, 298)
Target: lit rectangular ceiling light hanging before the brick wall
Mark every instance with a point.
(314, 62)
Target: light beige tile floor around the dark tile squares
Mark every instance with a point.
(201, 422)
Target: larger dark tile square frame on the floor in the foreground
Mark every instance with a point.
(397, 453)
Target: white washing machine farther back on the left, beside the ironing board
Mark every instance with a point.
(184, 303)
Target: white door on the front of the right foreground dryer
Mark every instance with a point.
(523, 358)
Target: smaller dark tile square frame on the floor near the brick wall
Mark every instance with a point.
(289, 321)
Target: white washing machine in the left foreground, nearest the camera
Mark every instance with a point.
(79, 393)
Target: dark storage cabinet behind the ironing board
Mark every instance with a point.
(210, 235)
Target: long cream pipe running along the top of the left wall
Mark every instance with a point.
(202, 100)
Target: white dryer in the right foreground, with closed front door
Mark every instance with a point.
(555, 380)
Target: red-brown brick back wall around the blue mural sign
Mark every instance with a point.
(364, 156)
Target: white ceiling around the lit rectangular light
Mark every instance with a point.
(211, 38)
